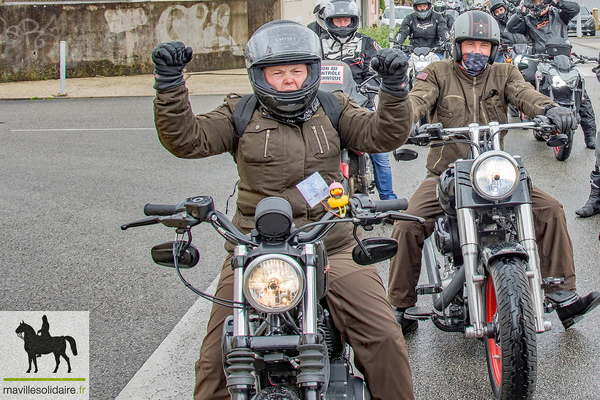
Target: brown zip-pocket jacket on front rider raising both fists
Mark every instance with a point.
(273, 156)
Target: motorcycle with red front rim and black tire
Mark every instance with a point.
(482, 262)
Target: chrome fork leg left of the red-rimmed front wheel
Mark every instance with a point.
(470, 250)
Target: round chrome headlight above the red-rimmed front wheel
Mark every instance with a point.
(495, 176)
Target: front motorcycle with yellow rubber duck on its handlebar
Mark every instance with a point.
(280, 342)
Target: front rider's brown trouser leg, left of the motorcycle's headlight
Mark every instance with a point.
(210, 378)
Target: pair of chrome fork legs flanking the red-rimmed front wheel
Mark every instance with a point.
(474, 280)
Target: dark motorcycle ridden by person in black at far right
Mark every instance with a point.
(558, 78)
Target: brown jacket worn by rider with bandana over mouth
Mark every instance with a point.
(456, 99)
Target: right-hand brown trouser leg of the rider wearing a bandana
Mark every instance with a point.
(554, 244)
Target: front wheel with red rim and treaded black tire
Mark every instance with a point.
(511, 353)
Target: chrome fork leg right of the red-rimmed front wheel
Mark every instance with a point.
(526, 234)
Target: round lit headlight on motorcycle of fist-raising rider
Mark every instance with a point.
(274, 283)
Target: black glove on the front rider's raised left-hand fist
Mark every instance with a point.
(169, 61)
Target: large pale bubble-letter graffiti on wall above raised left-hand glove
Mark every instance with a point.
(199, 28)
